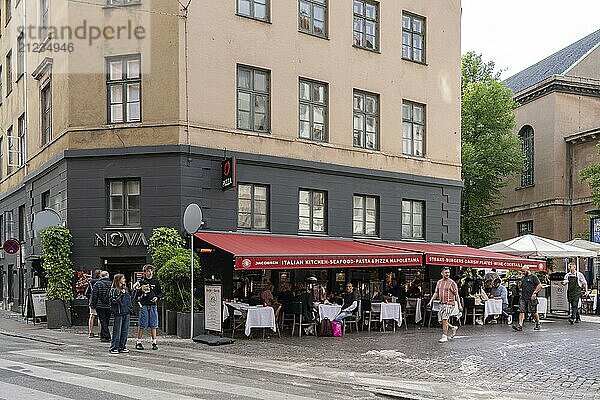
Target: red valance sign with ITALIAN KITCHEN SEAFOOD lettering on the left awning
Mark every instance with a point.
(327, 261)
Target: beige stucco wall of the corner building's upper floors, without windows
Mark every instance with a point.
(217, 41)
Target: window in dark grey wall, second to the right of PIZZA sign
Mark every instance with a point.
(312, 211)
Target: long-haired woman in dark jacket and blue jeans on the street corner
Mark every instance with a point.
(121, 306)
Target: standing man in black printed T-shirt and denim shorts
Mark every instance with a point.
(147, 294)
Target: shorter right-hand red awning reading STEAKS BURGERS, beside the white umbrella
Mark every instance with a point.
(462, 256)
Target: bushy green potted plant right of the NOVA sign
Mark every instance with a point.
(175, 280)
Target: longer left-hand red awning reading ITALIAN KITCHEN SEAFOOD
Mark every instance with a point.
(252, 251)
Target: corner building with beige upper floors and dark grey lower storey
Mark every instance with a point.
(343, 117)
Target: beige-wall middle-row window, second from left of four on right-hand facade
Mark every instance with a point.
(313, 110)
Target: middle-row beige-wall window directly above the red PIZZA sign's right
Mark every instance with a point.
(253, 102)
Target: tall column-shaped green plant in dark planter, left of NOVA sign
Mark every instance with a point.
(56, 252)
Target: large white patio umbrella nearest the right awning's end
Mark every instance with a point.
(537, 246)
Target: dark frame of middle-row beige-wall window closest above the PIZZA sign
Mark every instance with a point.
(253, 92)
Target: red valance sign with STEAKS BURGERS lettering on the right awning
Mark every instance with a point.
(481, 262)
